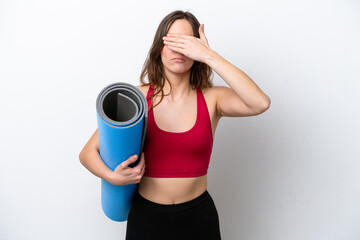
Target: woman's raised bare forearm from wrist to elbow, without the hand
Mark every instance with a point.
(241, 83)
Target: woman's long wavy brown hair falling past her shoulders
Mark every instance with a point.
(201, 74)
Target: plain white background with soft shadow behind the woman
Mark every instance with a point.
(291, 173)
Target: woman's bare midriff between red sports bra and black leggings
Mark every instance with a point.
(172, 190)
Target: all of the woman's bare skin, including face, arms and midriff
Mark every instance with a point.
(177, 113)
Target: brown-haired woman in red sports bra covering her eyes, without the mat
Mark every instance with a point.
(172, 201)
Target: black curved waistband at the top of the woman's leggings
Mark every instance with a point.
(171, 207)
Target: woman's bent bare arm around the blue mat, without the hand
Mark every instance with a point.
(90, 158)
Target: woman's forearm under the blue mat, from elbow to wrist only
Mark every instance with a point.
(91, 160)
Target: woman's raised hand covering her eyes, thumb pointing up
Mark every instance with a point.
(195, 48)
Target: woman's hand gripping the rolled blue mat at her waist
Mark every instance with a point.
(123, 174)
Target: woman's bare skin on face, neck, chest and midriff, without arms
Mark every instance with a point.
(177, 113)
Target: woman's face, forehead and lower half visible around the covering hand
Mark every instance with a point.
(181, 26)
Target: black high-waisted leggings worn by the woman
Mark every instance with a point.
(195, 219)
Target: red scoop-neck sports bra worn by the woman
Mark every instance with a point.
(178, 154)
